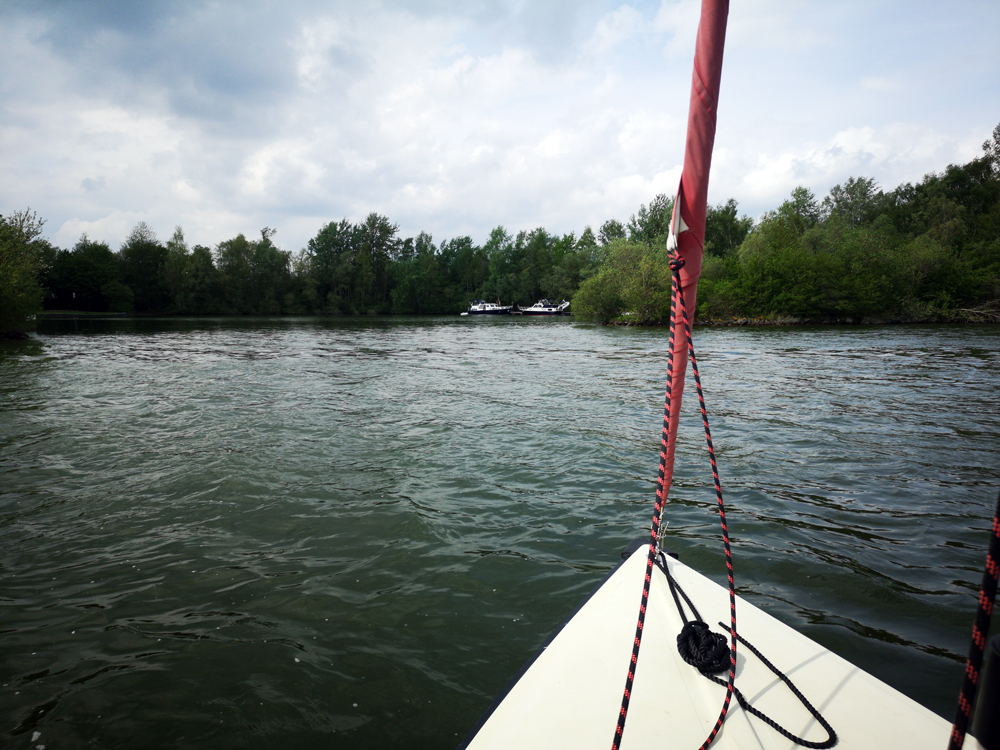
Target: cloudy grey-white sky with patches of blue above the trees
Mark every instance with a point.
(453, 117)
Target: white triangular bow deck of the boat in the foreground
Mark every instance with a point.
(570, 694)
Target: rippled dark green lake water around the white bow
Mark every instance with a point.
(351, 533)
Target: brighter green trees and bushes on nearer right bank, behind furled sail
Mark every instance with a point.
(928, 251)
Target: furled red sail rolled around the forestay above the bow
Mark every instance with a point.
(688, 223)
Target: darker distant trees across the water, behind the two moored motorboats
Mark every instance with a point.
(346, 268)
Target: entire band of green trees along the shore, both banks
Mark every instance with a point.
(925, 251)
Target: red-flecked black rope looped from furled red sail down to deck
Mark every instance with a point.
(661, 498)
